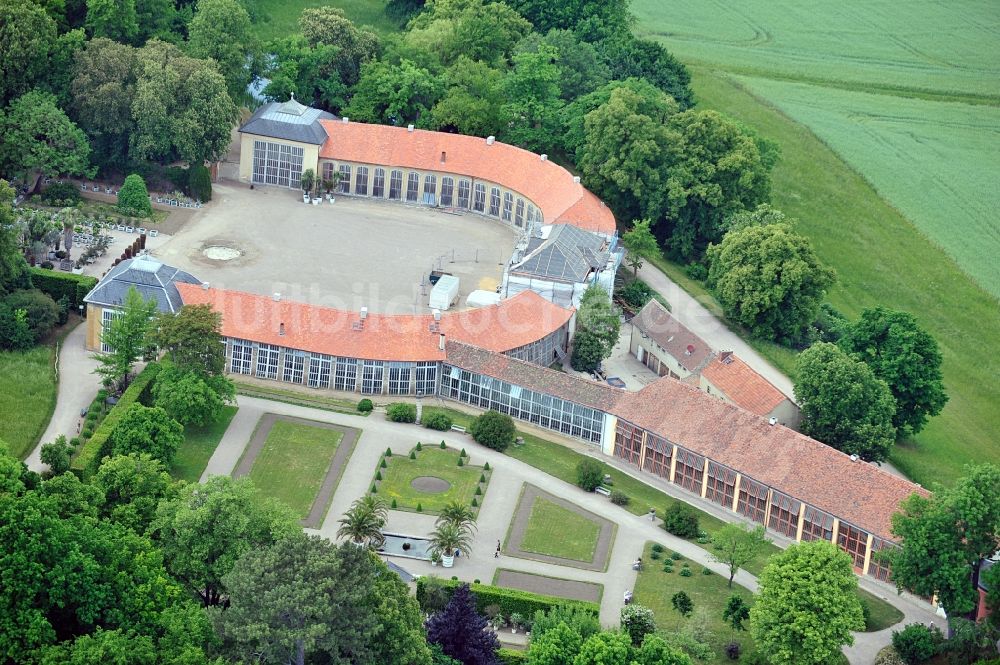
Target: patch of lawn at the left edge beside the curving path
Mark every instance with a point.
(27, 397)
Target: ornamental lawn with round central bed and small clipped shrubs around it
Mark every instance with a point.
(429, 477)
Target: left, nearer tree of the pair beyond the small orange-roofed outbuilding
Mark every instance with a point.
(843, 403)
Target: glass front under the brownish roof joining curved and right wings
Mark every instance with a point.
(543, 410)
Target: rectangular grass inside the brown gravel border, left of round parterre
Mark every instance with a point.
(294, 462)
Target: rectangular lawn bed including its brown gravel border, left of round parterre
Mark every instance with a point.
(297, 462)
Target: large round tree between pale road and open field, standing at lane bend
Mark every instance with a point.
(769, 280)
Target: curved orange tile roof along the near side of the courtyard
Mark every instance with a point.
(513, 322)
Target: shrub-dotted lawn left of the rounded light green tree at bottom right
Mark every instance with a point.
(710, 593)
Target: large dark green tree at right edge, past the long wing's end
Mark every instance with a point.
(945, 537)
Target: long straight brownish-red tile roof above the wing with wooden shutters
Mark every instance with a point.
(810, 471)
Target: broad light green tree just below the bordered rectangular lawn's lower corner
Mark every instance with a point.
(208, 527)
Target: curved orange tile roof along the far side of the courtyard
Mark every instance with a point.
(549, 185)
